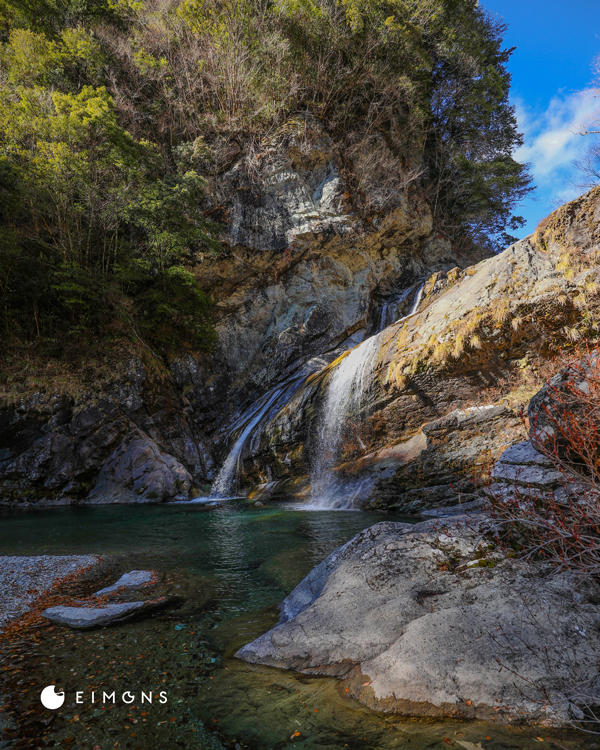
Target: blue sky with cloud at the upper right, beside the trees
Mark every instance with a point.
(552, 88)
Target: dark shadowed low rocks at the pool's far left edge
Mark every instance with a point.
(116, 445)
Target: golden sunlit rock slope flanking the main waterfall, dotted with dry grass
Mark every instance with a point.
(481, 337)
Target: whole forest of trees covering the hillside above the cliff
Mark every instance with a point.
(113, 114)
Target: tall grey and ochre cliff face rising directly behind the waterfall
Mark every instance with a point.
(310, 261)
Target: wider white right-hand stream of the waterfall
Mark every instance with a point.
(344, 395)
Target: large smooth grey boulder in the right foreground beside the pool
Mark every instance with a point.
(428, 620)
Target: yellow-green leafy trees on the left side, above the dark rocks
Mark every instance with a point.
(83, 199)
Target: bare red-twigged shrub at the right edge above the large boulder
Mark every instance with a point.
(563, 526)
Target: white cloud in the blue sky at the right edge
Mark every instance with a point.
(553, 139)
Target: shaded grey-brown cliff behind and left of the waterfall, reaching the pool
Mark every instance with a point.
(304, 277)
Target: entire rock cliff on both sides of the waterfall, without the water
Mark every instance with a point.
(307, 275)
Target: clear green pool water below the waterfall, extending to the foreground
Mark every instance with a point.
(231, 566)
